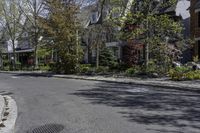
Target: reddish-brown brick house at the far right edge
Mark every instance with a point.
(195, 26)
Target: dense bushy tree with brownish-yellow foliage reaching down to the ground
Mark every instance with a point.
(61, 27)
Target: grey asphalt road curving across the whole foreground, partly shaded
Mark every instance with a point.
(51, 105)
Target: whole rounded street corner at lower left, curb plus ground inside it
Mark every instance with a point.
(8, 115)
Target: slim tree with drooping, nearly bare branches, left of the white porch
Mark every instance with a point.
(100, 30)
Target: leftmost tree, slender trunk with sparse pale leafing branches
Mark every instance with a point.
(12, 20)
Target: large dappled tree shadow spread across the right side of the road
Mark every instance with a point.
(159, 107)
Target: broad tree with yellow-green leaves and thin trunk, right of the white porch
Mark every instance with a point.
(141, 20)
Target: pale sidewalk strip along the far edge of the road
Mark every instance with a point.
(156, 82)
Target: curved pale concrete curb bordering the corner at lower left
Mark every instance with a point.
(9, 115)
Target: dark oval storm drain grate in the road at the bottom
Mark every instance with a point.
(48, 128)
